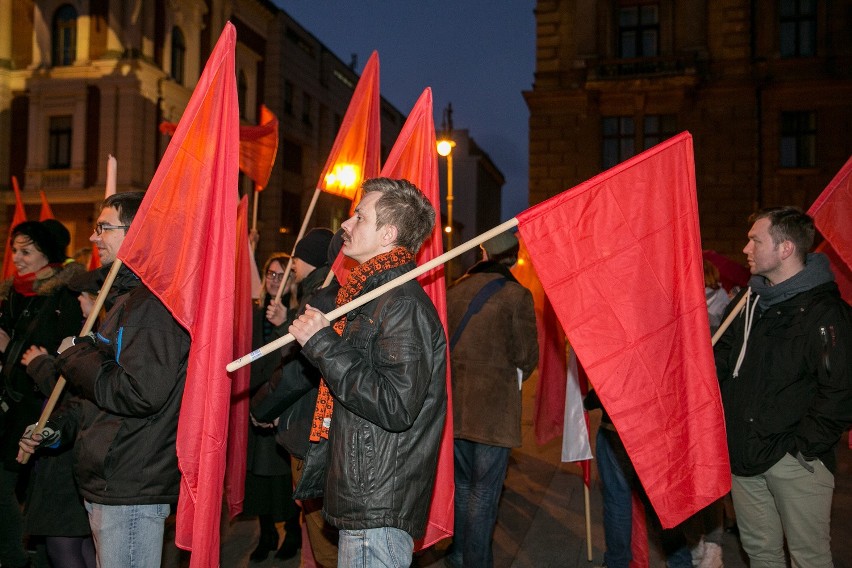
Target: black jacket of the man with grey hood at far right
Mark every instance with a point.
(794, 388)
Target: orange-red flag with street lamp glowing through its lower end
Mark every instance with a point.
(356, 153)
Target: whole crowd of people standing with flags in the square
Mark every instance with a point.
(347, 421)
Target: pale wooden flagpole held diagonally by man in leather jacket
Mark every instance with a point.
(370, 296)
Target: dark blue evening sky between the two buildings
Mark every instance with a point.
(477, 54)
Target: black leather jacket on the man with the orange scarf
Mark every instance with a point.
(388, 377)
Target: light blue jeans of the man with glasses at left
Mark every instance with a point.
(128, 536)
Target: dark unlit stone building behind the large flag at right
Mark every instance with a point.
(765, 89)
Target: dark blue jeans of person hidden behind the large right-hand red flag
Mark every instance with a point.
(619, 478)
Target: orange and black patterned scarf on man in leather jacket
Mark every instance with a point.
(357, 277)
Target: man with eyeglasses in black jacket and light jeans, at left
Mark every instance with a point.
(129, 379)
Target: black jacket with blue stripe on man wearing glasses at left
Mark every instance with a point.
(131, 383)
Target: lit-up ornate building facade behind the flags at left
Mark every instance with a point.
(84, 79)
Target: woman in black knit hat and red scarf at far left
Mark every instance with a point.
(36, 308)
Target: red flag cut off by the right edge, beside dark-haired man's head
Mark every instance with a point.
(832, 211)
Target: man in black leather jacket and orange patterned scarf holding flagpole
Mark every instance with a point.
(385, 368)
